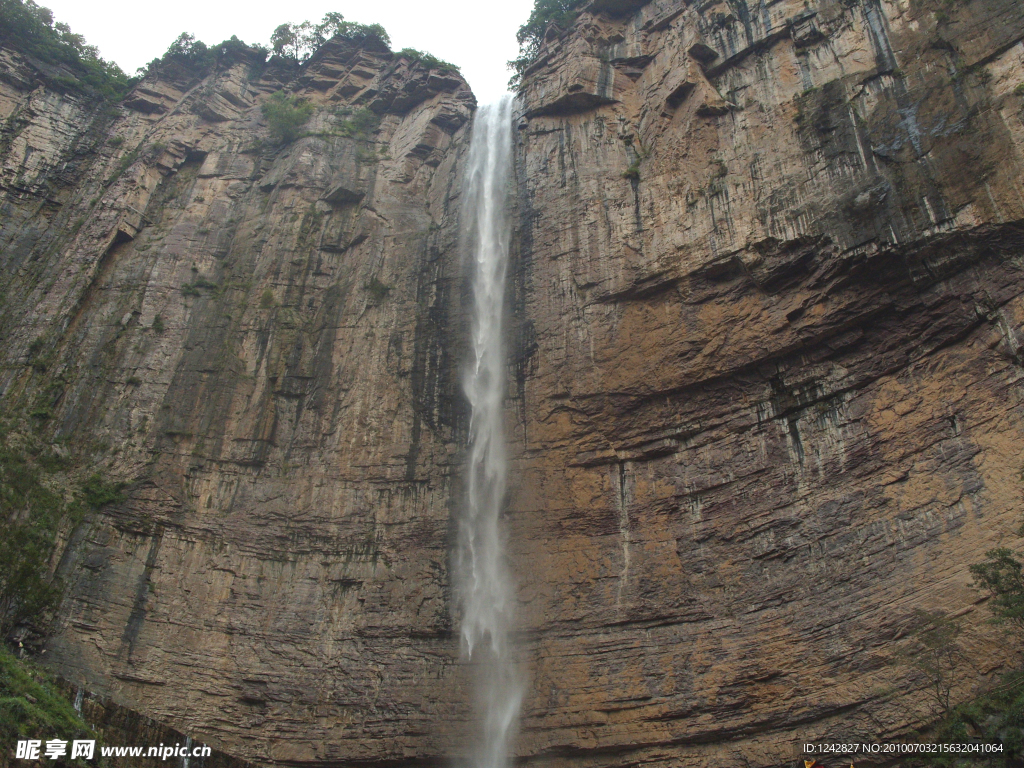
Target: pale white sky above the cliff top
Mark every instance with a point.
(478, 36)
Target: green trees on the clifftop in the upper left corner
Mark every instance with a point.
(30, 29)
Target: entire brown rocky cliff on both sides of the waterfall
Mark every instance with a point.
(765, 404)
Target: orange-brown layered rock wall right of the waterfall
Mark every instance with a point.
(767, 368)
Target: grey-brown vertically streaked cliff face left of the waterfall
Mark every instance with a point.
(264, 343)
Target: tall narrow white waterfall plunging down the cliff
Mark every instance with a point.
(485, 581)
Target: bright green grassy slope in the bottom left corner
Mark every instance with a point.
(32, 707)
